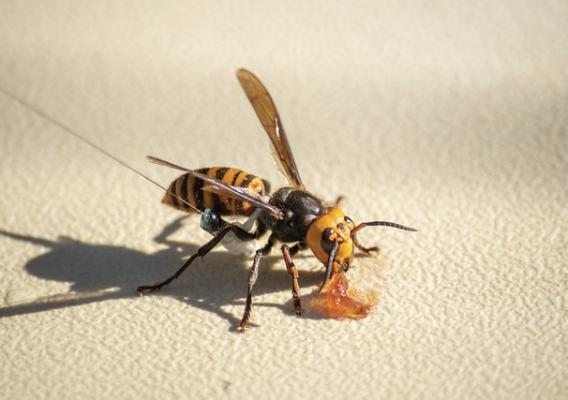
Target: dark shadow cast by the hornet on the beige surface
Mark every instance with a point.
(94, 269)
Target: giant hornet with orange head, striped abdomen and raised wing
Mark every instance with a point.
(292, 214)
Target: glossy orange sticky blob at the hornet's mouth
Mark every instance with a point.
(336, 300)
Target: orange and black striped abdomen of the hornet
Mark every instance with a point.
(188, 188)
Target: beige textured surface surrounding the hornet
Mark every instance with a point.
(447, 116)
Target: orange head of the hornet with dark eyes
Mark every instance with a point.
(332, 226)
